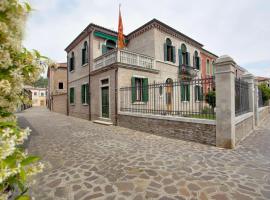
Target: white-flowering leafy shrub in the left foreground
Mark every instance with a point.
(18, 67)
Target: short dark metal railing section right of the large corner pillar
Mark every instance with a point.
(241, 97)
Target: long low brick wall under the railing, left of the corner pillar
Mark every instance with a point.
(198, 132)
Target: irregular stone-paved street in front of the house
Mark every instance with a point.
(90, 161)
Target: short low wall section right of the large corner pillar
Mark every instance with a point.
(244, 127)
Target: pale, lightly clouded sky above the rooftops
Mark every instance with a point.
(240, 29)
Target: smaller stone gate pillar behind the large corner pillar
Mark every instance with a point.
(249, 78)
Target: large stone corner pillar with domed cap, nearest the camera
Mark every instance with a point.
(225, 102)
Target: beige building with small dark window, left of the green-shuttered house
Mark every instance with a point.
(57, 88)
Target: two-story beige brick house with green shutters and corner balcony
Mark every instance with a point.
(104, 80)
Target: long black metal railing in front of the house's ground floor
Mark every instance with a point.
(189, 98)
